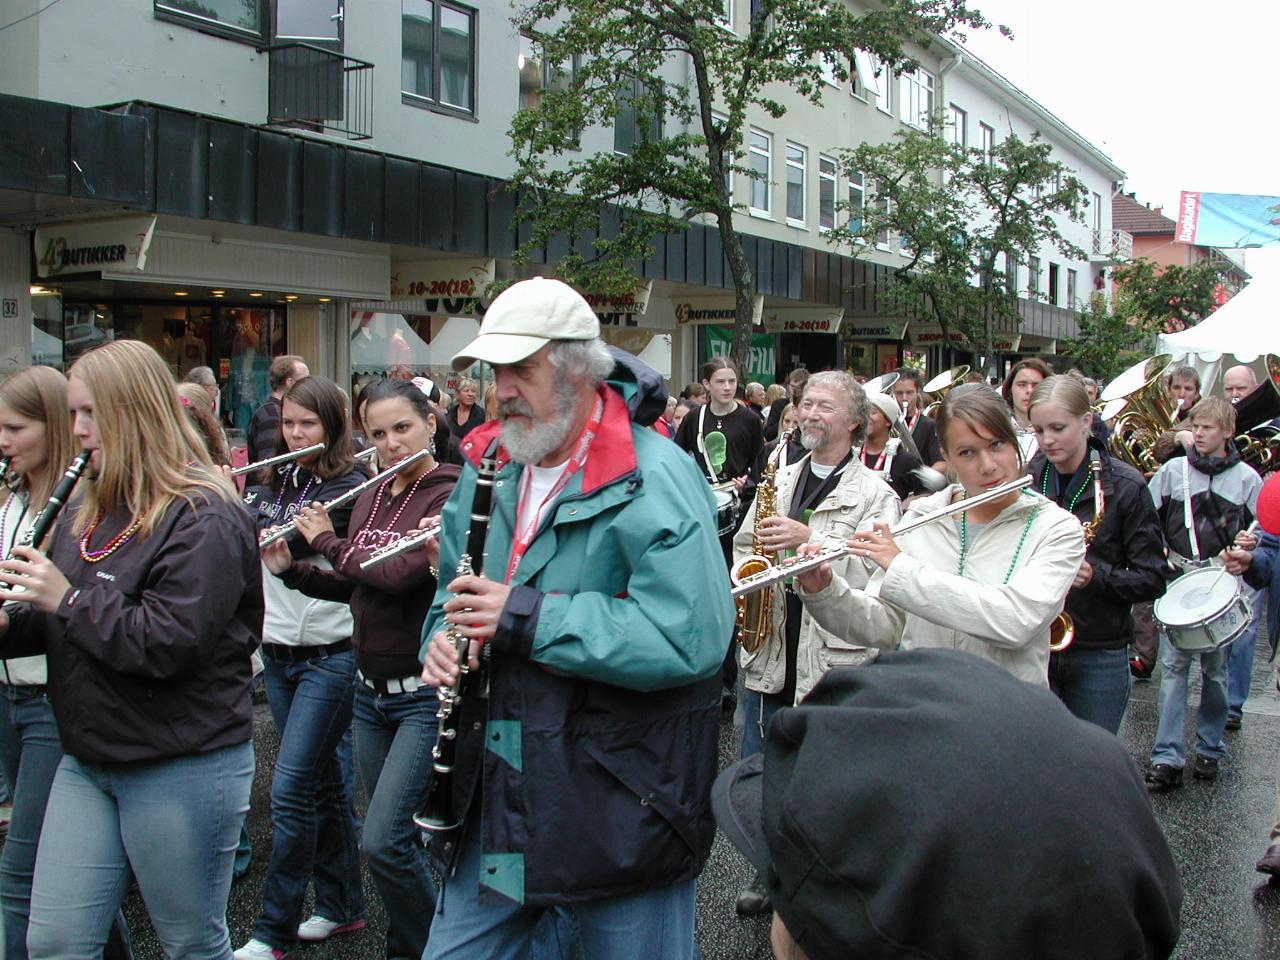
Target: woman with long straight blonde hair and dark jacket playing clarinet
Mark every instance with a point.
(148, 609)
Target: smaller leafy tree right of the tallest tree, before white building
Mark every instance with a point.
(963, 217)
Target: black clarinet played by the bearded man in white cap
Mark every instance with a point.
(438, 813)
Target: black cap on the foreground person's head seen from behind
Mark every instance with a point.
(929, 804)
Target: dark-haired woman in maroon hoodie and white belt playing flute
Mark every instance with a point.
(395, 712)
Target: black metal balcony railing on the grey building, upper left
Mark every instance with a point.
(321, 90)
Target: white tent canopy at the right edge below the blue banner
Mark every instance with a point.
(1246, 328)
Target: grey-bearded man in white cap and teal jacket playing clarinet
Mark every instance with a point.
(592, 646)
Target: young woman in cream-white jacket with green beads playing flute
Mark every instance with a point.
(989, 580)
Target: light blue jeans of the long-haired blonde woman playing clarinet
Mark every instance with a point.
(175, 822)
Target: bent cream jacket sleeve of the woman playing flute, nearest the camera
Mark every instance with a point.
(1009, 615)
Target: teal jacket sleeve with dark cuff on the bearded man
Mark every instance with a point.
(671, 628)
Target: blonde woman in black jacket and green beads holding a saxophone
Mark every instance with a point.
(1126, 559)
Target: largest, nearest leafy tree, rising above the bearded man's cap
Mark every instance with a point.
(610, 63)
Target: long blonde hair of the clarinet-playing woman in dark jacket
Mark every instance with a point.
(149, 446)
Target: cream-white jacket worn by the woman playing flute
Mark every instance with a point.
(921, 601)
